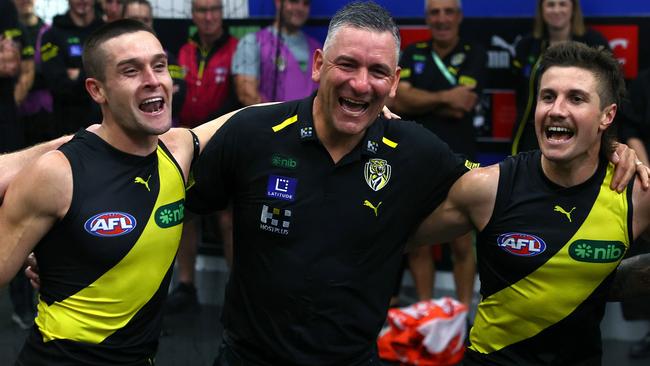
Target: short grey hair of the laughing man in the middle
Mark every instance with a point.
(366, 15)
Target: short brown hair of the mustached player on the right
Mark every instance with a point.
(606, 69)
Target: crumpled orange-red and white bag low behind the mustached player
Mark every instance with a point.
(427, 333)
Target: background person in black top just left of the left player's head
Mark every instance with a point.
(61, 50)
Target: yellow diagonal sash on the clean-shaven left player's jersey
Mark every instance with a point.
(108, 304)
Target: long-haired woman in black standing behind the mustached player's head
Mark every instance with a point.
(555, 21)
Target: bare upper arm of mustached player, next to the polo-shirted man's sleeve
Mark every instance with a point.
(469, 205)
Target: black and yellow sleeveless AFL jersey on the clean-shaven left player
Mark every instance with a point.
(105, 267)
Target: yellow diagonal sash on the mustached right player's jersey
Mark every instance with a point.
(547, 296)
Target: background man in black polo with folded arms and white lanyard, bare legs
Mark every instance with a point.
(441, 80)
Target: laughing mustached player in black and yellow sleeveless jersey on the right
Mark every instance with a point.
(550, 232)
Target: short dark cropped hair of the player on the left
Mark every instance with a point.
(93, 58)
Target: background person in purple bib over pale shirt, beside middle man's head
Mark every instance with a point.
(274, 63)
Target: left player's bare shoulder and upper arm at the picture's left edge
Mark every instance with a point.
(38, 197)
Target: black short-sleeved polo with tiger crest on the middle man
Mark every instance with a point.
(317, 245)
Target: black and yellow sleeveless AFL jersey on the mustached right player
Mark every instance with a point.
(546, 261)
